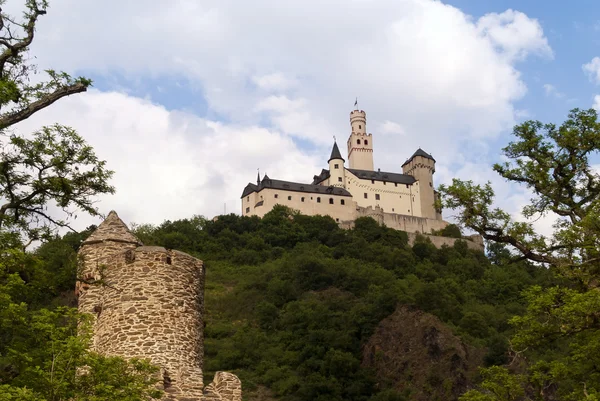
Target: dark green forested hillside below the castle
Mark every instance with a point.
(292, 301)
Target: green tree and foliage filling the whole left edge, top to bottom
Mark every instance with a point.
(44, 351)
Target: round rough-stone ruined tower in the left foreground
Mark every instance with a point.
(148, 302)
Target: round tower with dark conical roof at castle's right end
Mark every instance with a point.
(421, 165)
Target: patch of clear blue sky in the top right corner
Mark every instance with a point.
(573, 32)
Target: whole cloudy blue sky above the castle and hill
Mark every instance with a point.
(191, 97)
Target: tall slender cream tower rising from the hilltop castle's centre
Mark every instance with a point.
(360, 144)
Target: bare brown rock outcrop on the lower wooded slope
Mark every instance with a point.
(413, 351)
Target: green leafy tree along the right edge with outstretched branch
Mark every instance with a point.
(559, 335)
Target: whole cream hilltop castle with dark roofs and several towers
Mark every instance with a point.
(404, 201)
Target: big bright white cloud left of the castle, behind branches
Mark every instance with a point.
(171, 165)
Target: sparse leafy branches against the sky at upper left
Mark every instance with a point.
(55, 165)
